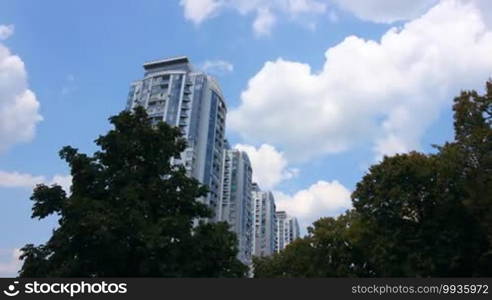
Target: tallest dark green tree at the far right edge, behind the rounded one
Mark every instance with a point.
(473, 143)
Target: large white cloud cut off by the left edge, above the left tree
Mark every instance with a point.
(19, 108)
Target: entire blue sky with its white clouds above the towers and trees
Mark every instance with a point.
(317, 90)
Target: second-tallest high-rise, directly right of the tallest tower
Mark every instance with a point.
(235, 204)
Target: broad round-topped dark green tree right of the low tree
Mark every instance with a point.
(416, 222)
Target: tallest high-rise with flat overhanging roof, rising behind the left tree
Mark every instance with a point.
(173, 92)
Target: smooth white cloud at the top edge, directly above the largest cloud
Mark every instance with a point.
(386, 11)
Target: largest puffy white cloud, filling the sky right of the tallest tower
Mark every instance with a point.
(387, 92)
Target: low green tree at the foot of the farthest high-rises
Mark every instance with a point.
(331, 249)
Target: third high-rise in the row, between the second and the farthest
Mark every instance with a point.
(264, 222)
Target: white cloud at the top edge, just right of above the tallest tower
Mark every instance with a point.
(265, 11)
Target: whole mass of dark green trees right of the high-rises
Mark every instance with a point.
(414, 215)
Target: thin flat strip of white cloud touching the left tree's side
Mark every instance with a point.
(23, 180)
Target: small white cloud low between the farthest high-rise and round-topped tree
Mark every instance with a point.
(322, 199)
